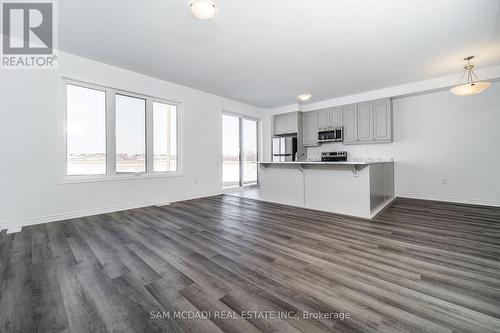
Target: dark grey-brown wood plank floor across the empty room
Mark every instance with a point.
(420, 267)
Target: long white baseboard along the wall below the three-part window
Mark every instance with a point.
(14, 225)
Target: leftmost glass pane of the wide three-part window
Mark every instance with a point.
(85, 131)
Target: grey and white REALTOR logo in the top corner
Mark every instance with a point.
(28, 35)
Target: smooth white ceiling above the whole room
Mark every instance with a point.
(266, 52)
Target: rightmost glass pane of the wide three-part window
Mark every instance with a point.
(165, 137)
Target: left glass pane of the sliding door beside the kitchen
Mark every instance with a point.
(230, 151)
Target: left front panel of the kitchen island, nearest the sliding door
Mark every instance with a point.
(282, 184)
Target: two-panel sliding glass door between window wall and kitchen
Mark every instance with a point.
(239, 151)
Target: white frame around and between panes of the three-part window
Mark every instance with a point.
(110, 116)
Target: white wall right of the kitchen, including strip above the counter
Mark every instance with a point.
(439, 136)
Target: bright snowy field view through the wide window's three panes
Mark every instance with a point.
(86, 133)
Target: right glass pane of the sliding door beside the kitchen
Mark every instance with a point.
(249, 152)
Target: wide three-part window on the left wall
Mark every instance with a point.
(110, 133)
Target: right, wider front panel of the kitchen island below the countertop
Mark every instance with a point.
(335, 188)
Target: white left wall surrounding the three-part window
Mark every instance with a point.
(29, 102)
